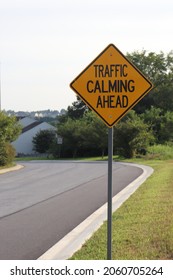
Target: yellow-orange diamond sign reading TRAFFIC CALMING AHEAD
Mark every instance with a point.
(111, 85)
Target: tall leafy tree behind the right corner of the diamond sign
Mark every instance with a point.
(159, 69)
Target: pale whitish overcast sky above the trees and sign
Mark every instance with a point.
(45, 44)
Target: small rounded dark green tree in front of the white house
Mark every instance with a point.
(43, 141)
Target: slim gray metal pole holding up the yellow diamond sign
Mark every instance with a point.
(109, 227)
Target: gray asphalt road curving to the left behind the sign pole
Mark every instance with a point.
(42, 202)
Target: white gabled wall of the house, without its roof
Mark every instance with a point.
(23, 145)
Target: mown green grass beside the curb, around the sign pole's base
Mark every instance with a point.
(143, 225)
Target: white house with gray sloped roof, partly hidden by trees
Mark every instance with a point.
(30, 127)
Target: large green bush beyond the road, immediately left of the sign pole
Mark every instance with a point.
(84, 136)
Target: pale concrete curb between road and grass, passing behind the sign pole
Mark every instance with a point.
(74, 240)
